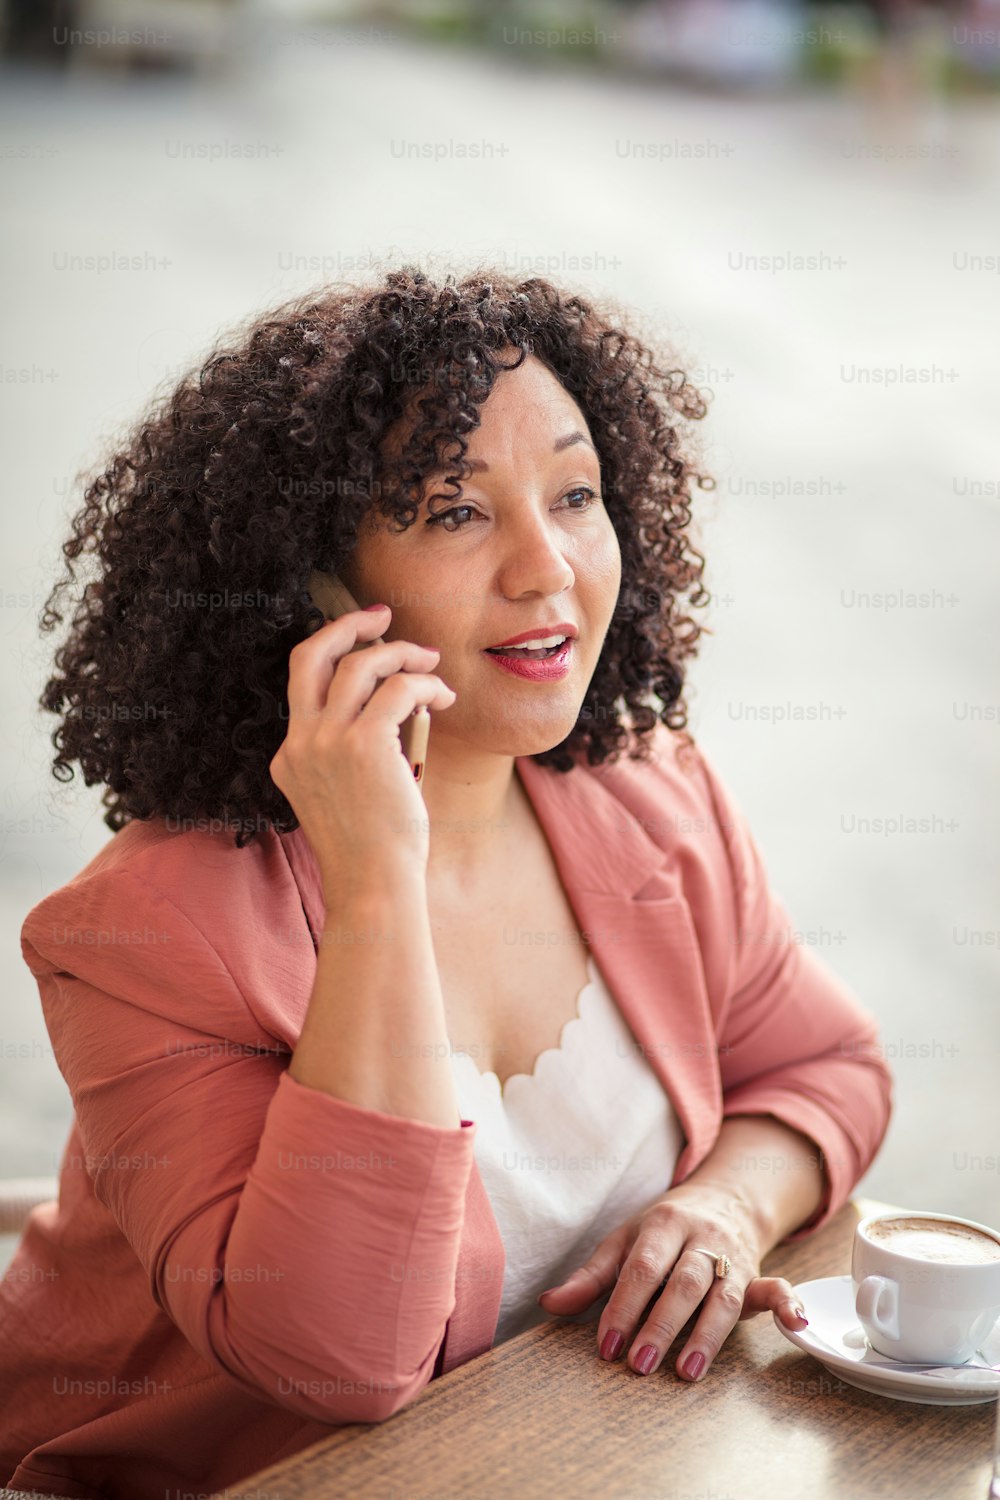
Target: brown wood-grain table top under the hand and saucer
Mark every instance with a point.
(543, 1417)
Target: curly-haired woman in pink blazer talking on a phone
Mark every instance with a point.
(403, 1069)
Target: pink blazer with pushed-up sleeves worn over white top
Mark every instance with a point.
(238, 1261)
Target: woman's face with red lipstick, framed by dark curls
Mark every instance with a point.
(527, 545)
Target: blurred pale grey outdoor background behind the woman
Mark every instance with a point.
(801, 200)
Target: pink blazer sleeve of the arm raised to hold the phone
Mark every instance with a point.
(307, 1247)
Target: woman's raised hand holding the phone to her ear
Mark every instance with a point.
(341, 764)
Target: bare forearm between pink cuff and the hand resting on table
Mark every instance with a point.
(771, 1169)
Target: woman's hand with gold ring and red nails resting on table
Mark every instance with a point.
(662, 1243)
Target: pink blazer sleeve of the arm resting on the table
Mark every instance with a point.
(795, 1043)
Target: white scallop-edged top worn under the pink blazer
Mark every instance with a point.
(570, 1151)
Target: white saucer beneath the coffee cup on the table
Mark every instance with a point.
(836, 1339)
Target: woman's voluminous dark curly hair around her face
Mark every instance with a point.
(263, 466)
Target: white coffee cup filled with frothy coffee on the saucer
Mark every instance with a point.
(927, 1286)
